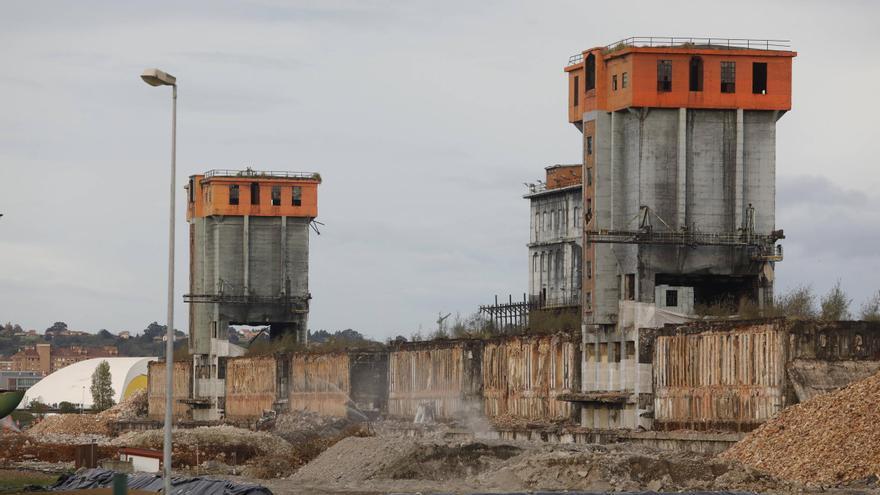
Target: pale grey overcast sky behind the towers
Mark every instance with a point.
(423, 118)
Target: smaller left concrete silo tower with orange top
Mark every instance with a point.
(249, 265)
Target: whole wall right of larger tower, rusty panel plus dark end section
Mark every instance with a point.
(736, 375)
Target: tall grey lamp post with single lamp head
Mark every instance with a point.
(155, 77)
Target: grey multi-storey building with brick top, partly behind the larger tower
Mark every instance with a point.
(555, 245)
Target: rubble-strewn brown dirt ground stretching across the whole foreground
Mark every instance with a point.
(309, 454)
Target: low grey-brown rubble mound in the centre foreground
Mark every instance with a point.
(383, 464)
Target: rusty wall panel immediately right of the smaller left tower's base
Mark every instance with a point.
(250, 386)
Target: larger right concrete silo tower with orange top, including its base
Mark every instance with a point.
(679, 140)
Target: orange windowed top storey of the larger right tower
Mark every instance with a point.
(706, 73)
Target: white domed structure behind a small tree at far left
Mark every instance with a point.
(73, 383)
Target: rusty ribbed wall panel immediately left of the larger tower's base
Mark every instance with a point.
(523, 375)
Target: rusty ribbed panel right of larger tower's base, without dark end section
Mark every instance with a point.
(732, 379)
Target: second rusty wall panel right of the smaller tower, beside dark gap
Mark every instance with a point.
(320, 383)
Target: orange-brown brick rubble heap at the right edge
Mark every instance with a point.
(830, 439)
